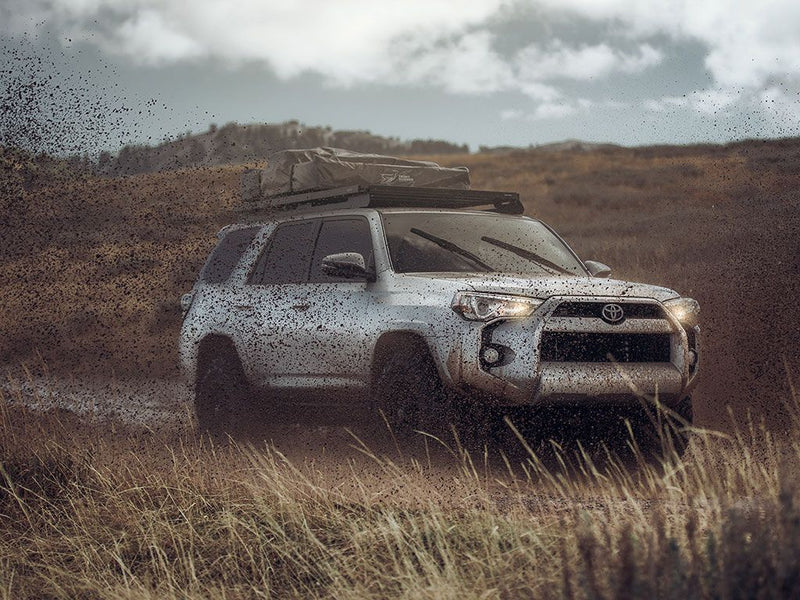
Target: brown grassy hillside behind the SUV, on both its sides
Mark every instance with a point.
(92, 274)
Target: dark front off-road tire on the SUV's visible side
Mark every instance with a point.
(408, 391)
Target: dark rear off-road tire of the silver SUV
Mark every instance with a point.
(220, 392)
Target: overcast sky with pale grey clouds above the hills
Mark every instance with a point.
(483, 72)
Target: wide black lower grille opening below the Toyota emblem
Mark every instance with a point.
(605, 347)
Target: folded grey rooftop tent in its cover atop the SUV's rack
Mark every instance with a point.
(294, 171)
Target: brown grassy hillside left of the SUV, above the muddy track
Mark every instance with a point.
(93, 276)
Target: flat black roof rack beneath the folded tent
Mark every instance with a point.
(386, 196)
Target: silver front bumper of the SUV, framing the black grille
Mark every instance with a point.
(530, 374)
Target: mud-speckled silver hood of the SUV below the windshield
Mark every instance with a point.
(544, 287)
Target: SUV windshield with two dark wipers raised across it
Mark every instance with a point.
(469, 243)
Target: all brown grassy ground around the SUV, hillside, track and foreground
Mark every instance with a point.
(125, 500)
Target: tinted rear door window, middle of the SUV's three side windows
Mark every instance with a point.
(287, 257)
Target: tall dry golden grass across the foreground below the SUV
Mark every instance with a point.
(103, 510)
